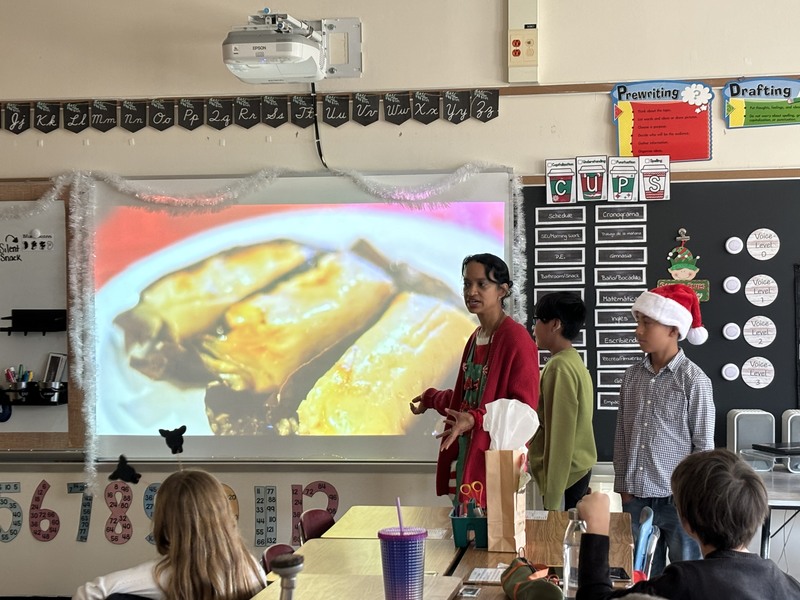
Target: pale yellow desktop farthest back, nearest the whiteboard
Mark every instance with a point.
(365, 521)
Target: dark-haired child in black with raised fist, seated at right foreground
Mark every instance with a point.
(721, 502)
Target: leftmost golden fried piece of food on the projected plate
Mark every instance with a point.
(189, 301)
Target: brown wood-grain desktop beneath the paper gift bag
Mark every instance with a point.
(545, 545)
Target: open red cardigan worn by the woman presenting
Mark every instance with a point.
(513, 361)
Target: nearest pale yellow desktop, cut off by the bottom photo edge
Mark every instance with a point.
(365, 587)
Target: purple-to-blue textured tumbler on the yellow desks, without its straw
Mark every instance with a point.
(403, 559)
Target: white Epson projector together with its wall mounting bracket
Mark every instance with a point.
(277, 48)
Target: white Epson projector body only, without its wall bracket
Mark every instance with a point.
(256, 55)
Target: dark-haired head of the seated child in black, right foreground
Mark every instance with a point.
(719, 498)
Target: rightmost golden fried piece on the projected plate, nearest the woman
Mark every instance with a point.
(415, 344)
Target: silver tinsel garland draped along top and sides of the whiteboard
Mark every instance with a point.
(80, 222)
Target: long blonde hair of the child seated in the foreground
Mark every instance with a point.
(196, 532)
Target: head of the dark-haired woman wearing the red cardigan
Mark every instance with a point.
(486, 281)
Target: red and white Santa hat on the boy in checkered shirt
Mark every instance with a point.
(676, 305)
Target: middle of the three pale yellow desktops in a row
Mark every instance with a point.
(361, 556)
